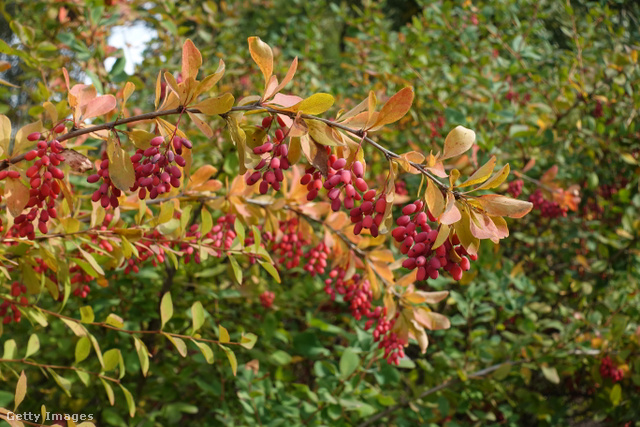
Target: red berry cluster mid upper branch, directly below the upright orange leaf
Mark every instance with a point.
(274, 159)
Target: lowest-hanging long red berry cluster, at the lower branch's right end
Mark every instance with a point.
(358, 294)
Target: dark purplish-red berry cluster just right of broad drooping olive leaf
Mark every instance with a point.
(155, 170)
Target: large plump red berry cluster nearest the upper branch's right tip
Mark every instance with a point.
(417, 239)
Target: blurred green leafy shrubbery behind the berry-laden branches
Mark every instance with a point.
(550, 302)
